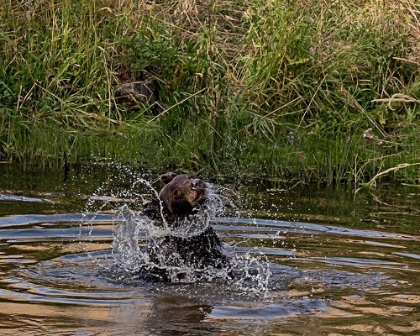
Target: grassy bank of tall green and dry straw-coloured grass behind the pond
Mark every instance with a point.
(326, 91)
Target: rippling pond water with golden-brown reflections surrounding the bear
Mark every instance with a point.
(329, 262)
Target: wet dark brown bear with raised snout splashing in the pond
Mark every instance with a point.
(181, 202)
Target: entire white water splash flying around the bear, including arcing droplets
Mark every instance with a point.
(132, 262)
